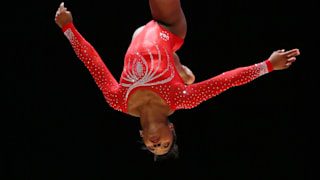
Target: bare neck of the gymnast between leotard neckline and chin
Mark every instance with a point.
(152, 117)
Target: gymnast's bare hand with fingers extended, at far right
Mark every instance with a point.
(283, 60)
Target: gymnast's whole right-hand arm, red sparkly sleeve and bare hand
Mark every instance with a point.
(194, 94)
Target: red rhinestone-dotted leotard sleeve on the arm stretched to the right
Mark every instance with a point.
(193, 95)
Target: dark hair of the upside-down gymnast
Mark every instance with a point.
(173, 152)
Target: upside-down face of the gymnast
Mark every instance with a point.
(159, 140)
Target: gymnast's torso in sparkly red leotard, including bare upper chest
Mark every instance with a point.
(149, 76)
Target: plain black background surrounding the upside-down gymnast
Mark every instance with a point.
(55, 123)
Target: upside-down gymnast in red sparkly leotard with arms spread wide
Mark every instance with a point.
(154, 84)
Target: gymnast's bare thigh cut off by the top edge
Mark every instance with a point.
(169, 14)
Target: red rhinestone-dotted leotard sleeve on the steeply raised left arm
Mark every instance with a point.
(91, 59)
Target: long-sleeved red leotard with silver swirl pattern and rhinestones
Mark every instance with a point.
(149, 65)
